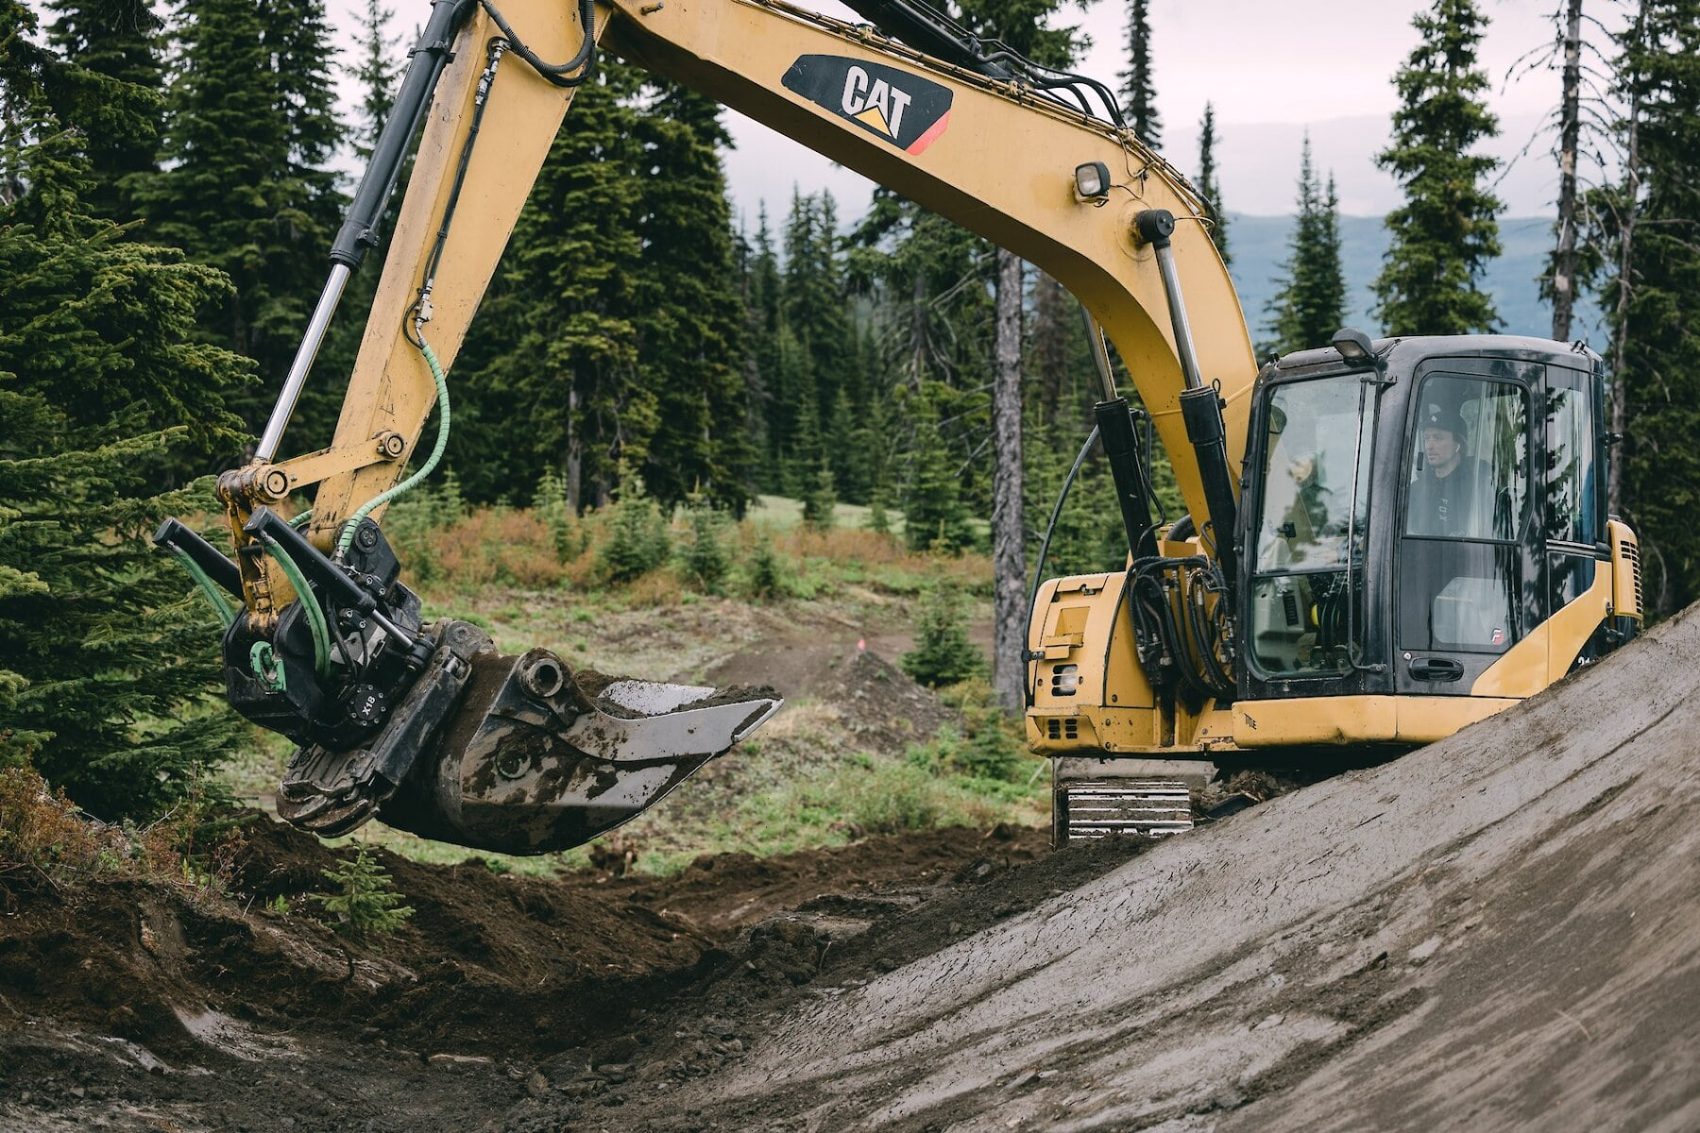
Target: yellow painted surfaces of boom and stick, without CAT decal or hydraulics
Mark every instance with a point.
(737, 54)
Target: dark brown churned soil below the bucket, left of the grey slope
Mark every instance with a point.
(147, 1006)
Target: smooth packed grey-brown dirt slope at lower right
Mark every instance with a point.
(1500, 931)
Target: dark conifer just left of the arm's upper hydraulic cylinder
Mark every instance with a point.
(247, 185)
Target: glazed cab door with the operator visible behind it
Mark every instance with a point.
(1471, 561)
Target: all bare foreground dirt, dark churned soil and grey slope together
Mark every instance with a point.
(1495, 933)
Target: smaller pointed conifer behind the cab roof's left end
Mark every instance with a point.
(1312, 305)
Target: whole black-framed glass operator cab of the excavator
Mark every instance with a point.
(1414, 516)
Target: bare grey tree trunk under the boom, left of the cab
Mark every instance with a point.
(1009, 562)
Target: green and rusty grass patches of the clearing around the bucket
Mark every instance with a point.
(800, 785)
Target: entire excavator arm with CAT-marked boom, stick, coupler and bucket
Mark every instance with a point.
(424, 724)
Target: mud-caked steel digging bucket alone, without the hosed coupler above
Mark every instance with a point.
(526, 756)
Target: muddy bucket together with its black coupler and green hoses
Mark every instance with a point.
(429, 729)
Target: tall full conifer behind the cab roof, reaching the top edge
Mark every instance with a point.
(1448, 231)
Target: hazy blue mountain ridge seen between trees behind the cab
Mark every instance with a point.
(1259, 246)
